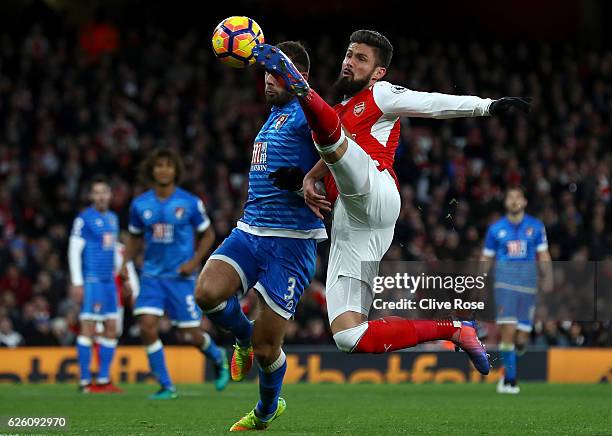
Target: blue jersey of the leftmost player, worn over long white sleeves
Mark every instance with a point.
(100, 232)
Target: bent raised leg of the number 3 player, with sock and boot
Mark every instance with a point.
(216, 295)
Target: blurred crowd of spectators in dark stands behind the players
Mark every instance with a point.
(86, 89)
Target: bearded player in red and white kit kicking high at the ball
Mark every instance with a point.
(357, 141)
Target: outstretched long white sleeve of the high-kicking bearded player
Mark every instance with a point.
(403, 102)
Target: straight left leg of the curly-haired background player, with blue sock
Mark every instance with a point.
(149, 332)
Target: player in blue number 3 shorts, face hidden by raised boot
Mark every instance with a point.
(273, 249)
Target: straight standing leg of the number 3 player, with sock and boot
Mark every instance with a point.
(268, 335)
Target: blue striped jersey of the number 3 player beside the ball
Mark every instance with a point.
(284, 140)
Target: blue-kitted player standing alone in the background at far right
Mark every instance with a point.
(517, 242)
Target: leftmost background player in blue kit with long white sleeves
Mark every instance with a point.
(93, 258)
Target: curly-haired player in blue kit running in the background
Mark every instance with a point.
(176, 233)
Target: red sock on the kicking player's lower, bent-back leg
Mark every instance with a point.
(394, 333)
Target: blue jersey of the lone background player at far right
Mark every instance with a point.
(515, 248)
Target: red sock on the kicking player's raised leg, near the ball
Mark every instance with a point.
(322, 119)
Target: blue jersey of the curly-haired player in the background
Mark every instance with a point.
(169, 228)
